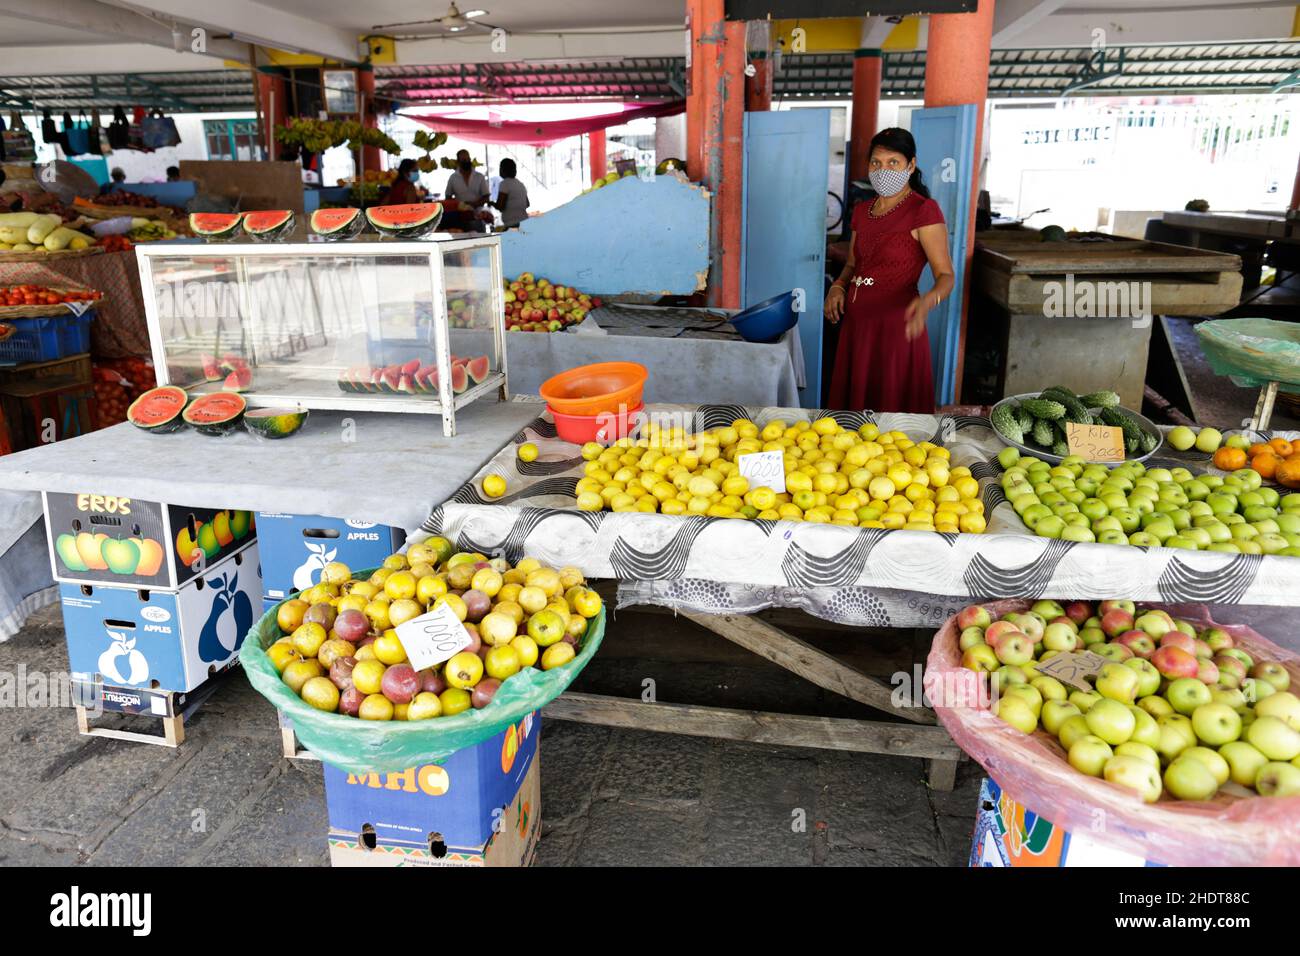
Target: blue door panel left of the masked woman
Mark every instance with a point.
(787, 157)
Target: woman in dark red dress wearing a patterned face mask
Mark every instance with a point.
(883, 360)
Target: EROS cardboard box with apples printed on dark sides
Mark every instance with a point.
(150, 544)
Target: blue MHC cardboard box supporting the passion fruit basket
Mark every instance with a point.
(443, 815)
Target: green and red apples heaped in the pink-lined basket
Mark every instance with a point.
(1176, 708)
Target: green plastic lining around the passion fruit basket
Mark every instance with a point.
(383, 747)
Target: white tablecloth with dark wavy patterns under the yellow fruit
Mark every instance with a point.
(856, 577)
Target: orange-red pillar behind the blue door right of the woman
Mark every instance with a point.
(957, 72)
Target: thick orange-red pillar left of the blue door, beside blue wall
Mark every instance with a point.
(716, 131)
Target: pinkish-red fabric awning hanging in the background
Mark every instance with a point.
(460, 122)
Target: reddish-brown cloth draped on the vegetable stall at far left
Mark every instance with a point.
(119, 331)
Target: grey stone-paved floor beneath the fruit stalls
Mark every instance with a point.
(609, 797)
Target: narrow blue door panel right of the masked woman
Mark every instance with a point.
(946, 154)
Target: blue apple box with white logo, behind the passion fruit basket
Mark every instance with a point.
(296, 548)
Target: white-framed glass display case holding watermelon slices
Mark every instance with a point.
(408, 327)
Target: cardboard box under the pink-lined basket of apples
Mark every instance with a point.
(1009, 834)
